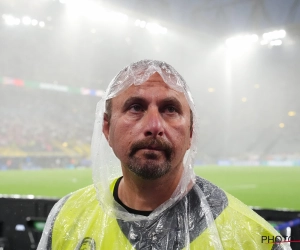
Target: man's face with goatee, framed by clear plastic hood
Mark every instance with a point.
(149, 128)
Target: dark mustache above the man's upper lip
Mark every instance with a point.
(152, 143)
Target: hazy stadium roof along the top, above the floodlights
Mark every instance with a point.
(214, 17)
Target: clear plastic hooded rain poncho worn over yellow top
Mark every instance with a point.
(203, 217)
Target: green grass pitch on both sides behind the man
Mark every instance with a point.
(265, 187)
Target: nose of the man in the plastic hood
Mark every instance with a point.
(154, 123)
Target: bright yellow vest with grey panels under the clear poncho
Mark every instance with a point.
(82, 224)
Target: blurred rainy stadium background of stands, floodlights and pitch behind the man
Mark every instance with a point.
(239, 57)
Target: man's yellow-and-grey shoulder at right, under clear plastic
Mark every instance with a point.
(238, 226)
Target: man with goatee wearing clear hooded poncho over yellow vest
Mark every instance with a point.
(150, 198)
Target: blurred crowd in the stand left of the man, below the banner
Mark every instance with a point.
(37, 124)
